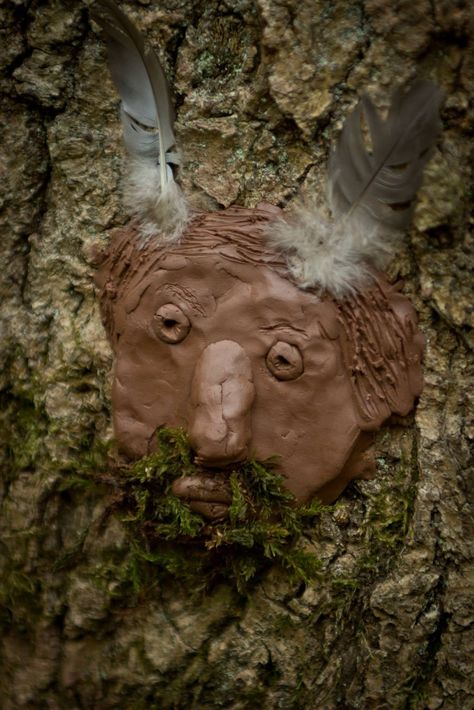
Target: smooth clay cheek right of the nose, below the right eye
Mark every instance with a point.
(310, 423)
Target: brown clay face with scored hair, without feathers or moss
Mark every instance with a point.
(213, 336)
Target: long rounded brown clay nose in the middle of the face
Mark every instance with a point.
(221, 401)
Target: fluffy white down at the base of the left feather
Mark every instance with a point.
(161, 213)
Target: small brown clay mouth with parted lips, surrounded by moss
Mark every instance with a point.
(210, 497)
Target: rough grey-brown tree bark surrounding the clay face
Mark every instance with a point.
(261, 89)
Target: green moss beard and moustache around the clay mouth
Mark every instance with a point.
(262, 528)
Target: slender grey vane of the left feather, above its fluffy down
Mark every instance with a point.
(142, 85)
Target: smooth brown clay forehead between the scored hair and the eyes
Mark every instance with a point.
(216, 279)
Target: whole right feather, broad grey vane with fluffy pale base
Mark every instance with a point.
(371, 194)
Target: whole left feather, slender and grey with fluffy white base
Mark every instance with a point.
(147, 116)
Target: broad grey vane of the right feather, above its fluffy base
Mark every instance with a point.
(377, 188)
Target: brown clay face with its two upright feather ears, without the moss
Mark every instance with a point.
(254, 351)
